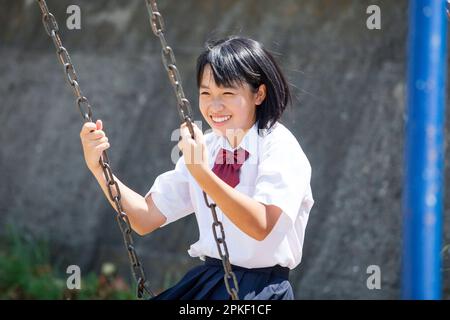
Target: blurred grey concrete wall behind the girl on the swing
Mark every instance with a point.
(349, 87)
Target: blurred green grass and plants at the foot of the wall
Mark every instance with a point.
(27, 273)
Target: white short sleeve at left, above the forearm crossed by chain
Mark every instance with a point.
(170, 193)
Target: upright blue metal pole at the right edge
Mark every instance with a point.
(424, 150)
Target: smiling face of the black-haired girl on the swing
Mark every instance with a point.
(228, 110)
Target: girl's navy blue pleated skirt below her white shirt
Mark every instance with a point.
(205, 282)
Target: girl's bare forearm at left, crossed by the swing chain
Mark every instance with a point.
(133, 204)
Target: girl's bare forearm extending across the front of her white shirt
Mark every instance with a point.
(246, 213)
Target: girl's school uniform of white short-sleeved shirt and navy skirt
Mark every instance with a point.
(276, 172)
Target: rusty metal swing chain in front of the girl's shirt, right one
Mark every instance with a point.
(184, 109)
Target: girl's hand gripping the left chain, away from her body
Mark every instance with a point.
(94, 142)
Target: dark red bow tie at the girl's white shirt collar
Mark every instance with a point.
(228, 165)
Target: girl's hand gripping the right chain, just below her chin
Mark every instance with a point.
(194, 151)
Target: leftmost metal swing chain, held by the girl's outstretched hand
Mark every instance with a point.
(51, 27)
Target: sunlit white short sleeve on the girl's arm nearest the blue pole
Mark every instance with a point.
(283, 179)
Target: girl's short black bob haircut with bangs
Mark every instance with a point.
(234, 60)
